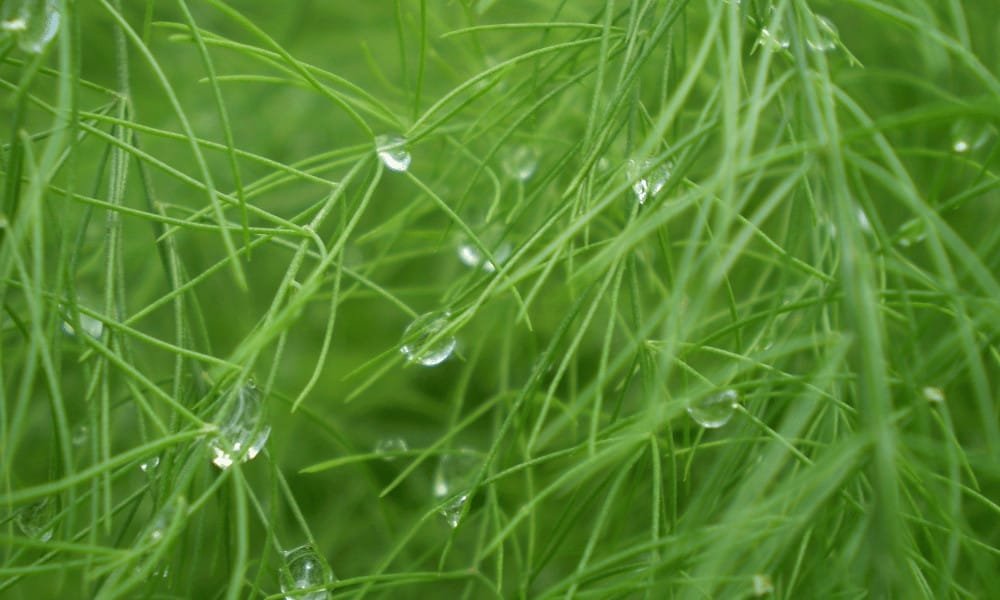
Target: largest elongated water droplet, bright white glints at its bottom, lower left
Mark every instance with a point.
(242, 428)
